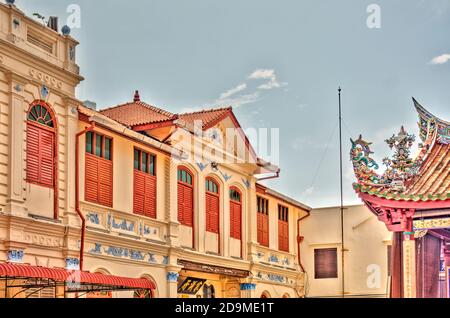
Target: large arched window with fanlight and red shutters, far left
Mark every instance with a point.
(41, 153)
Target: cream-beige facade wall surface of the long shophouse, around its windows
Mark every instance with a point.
(143, 247)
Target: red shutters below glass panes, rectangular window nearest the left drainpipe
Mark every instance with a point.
(99, 179)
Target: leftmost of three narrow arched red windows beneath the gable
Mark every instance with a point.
(185, 197)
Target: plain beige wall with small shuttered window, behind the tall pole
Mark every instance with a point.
(366, 241)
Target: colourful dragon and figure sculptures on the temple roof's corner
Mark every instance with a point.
(400, 169)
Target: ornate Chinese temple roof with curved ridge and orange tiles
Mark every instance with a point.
(425, 178)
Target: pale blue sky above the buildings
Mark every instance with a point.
(185, 55)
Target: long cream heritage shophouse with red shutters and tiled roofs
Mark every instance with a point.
(113, 193)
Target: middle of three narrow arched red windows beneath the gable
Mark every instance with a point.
(212, 205)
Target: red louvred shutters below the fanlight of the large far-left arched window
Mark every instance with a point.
(40, 155)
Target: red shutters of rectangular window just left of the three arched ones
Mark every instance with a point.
(144, 202)
